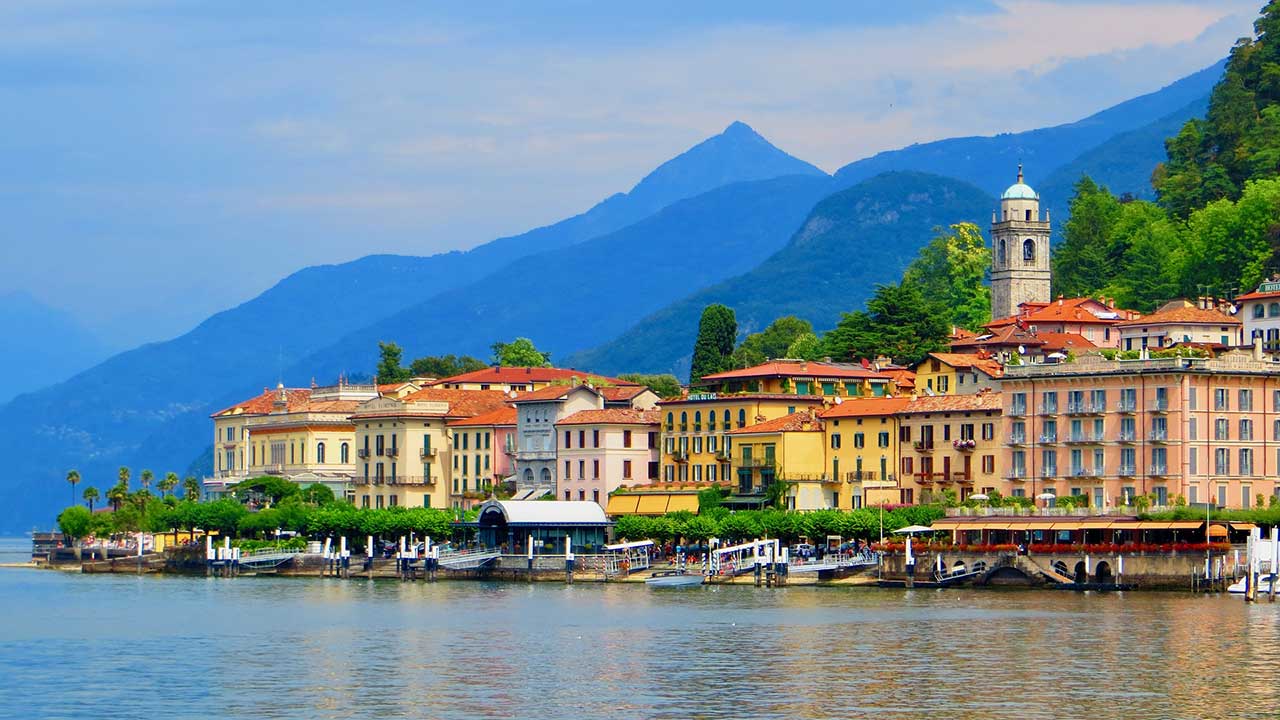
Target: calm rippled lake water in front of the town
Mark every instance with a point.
(118, 646)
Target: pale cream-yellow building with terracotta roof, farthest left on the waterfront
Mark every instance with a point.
(304, 435)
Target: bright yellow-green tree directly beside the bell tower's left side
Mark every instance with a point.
(953, 268)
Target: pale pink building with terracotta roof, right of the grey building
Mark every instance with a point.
(602, 450)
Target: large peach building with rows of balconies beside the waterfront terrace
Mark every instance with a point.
(1197, 430)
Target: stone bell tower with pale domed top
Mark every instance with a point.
(1020, 252)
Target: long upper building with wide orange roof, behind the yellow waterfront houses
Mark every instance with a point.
(802, 377)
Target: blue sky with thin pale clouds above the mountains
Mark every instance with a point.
(163, 161)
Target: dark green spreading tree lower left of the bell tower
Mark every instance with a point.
(899, 322)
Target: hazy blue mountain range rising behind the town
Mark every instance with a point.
(733, 220)
